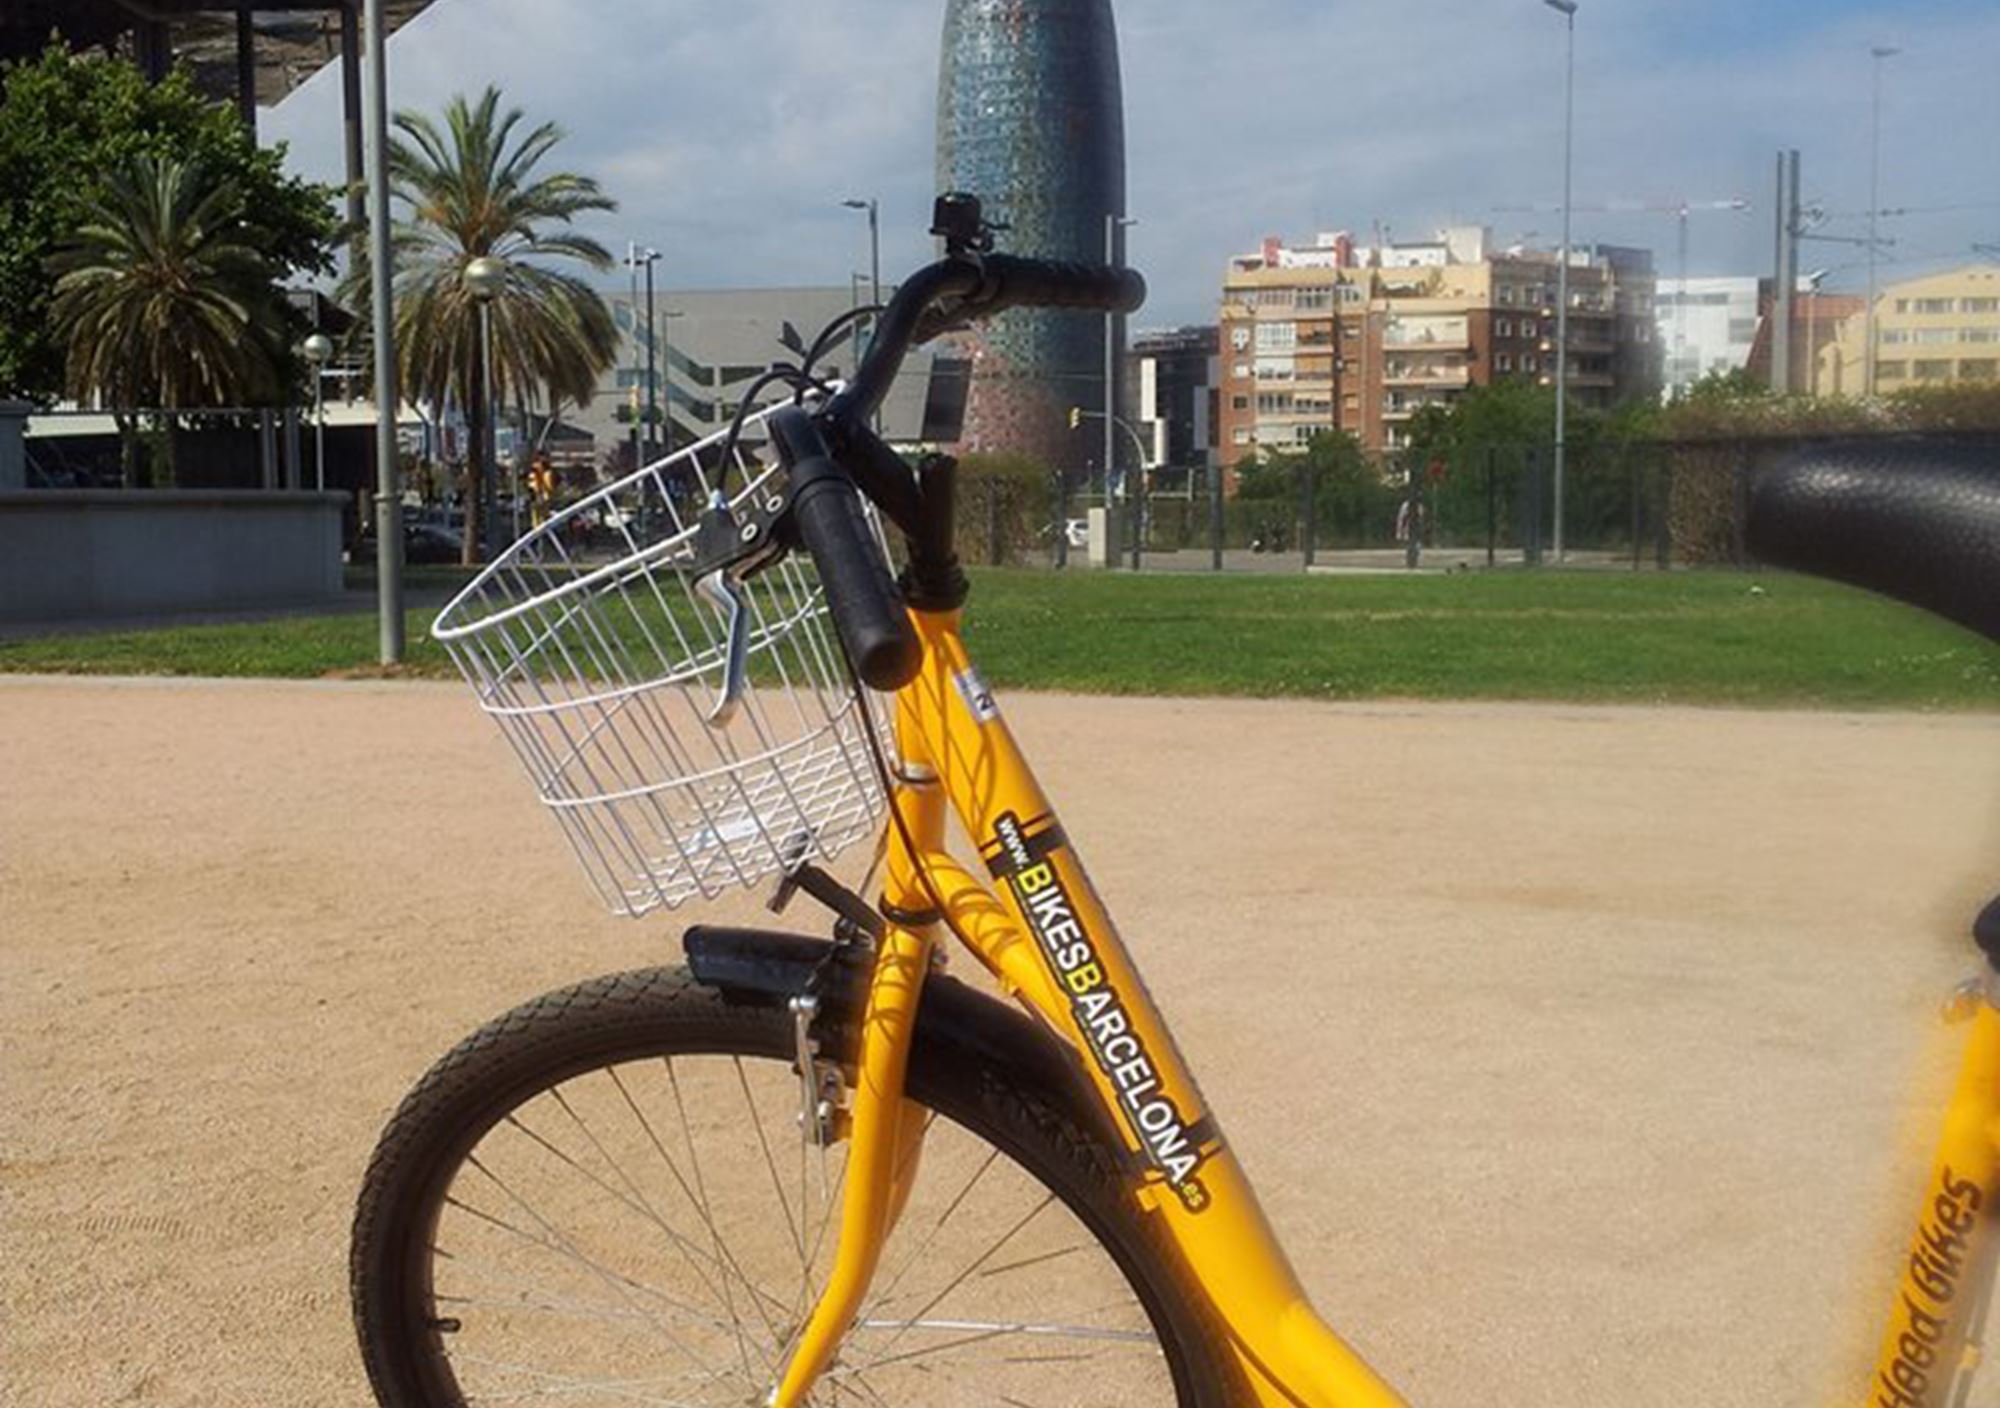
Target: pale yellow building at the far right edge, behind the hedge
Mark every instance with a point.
(1929, 331)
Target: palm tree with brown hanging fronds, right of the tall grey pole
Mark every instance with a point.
(471, 191)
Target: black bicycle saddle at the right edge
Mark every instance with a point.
(1913, 521)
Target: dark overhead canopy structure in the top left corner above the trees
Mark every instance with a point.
(277, 45)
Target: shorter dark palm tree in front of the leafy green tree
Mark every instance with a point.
(165, 299)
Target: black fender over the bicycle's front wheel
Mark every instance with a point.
(955, 1023)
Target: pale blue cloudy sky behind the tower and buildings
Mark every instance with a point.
(731, 131)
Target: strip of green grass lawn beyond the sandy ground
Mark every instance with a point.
(1685, 637)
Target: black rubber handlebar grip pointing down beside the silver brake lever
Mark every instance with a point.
(833, 527)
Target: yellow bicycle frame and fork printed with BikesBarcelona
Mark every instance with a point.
(1041, 929)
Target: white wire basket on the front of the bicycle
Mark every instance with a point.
(591, 647)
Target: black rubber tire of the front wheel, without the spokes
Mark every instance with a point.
(657, 1011)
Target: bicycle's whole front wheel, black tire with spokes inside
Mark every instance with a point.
(605, 1197)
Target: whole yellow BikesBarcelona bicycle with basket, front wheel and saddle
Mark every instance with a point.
(819, 1171)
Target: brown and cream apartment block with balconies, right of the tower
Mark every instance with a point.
(1365, 337)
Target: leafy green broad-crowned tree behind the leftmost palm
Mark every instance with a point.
(67, 121)
